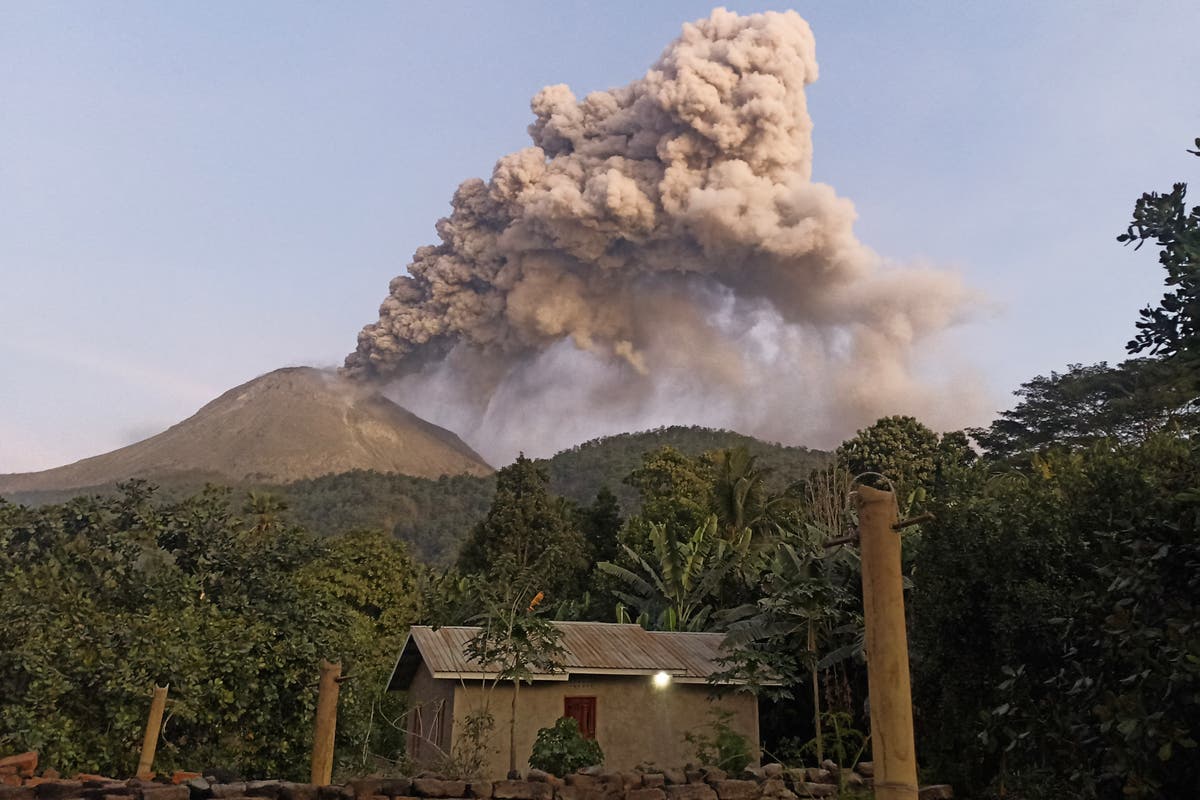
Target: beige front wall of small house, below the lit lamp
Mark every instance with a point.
(635, 721)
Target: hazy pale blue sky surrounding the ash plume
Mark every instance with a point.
(193, 195)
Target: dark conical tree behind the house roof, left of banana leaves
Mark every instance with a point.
(530, 538)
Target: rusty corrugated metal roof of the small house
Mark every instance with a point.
(590, 649)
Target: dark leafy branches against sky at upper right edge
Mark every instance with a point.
(1174, 327)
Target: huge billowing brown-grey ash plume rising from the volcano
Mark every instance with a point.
(661, 255)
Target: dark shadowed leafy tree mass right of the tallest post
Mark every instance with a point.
(1054, 624)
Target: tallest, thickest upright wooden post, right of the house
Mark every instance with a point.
(887, 648)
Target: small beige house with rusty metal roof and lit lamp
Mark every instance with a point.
(637, 693)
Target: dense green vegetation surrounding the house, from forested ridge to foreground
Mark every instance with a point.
(1054, 610)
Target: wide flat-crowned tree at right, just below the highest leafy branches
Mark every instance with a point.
(1126, 404)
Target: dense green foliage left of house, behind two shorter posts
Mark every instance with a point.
(106, 598)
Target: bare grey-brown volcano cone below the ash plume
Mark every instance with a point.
(287, 425)
